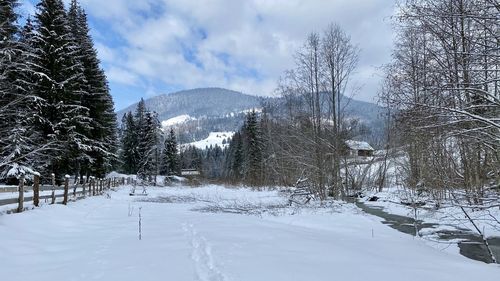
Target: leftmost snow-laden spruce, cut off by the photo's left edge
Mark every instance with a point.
(21, 147)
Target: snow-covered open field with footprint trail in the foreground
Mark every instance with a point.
(198, 234)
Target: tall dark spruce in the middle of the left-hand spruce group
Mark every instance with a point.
(60, 82)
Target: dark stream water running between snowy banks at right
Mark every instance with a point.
(470, 245)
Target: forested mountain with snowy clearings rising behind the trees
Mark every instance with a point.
(197, 112)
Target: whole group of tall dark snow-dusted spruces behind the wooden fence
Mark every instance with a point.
(56, 112)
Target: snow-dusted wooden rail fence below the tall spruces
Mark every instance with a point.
(90, 187)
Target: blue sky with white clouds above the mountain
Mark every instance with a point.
(152, 47)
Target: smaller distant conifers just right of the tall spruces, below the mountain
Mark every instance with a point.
(147, 151)
